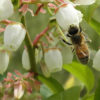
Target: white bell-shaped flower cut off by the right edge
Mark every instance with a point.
(96, 61)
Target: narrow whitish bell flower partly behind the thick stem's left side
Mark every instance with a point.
(25, 60)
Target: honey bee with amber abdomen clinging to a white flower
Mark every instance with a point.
(79, 42)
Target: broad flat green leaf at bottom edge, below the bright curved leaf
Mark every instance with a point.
(70, 94)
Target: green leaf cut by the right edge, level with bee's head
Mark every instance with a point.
(95, 25)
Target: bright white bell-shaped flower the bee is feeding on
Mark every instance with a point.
(67, 15)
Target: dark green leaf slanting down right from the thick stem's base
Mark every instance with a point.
(53, 84)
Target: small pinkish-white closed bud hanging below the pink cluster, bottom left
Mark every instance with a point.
(18, 91)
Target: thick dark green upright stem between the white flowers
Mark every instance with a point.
(30, 49)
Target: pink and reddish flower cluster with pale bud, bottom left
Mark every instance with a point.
(21, 84)
